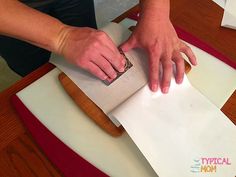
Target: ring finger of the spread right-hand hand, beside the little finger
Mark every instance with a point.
(180, 67)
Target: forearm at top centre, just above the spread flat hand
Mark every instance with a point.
(154, 9)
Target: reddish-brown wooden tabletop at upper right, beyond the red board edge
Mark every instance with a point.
(203, 20)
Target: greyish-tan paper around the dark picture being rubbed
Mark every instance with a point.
(108, 97)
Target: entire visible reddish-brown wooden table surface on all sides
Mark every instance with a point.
(20, 156)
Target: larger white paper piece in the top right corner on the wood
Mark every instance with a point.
(229, 17)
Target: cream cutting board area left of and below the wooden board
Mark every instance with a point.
(55, 109)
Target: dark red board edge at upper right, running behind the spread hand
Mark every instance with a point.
(196, 42)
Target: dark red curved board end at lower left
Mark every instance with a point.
(64, 158)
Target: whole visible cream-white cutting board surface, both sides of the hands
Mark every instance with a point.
(117, 157)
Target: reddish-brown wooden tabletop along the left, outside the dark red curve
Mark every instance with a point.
(19, 155)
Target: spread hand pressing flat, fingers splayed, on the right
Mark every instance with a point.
(161, 43)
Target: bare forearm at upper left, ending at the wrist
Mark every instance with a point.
(22, 22)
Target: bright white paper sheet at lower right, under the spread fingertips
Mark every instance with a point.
(177, 131)
